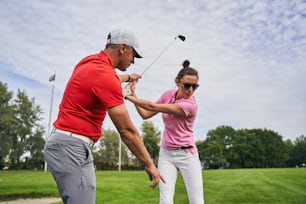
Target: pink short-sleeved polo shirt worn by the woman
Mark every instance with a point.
(178, 130)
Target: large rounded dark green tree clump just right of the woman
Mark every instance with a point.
(226, 147)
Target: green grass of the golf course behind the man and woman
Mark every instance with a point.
(245, 186)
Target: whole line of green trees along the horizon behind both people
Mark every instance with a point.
(22, 142)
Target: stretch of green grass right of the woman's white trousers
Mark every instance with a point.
(250, 186)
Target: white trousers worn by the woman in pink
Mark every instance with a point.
(170, 161)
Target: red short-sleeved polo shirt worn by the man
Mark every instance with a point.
(93, 87)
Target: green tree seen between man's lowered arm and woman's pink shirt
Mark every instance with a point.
(151, 139)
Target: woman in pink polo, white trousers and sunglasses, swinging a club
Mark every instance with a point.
(178, 150)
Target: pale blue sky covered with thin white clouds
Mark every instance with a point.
(251, 55)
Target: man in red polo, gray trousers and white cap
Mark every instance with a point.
(93, 90)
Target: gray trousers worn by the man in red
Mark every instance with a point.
(71, 163)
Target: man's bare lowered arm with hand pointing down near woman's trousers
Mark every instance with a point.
(130, 136)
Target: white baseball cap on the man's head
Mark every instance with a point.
(122, 36)
